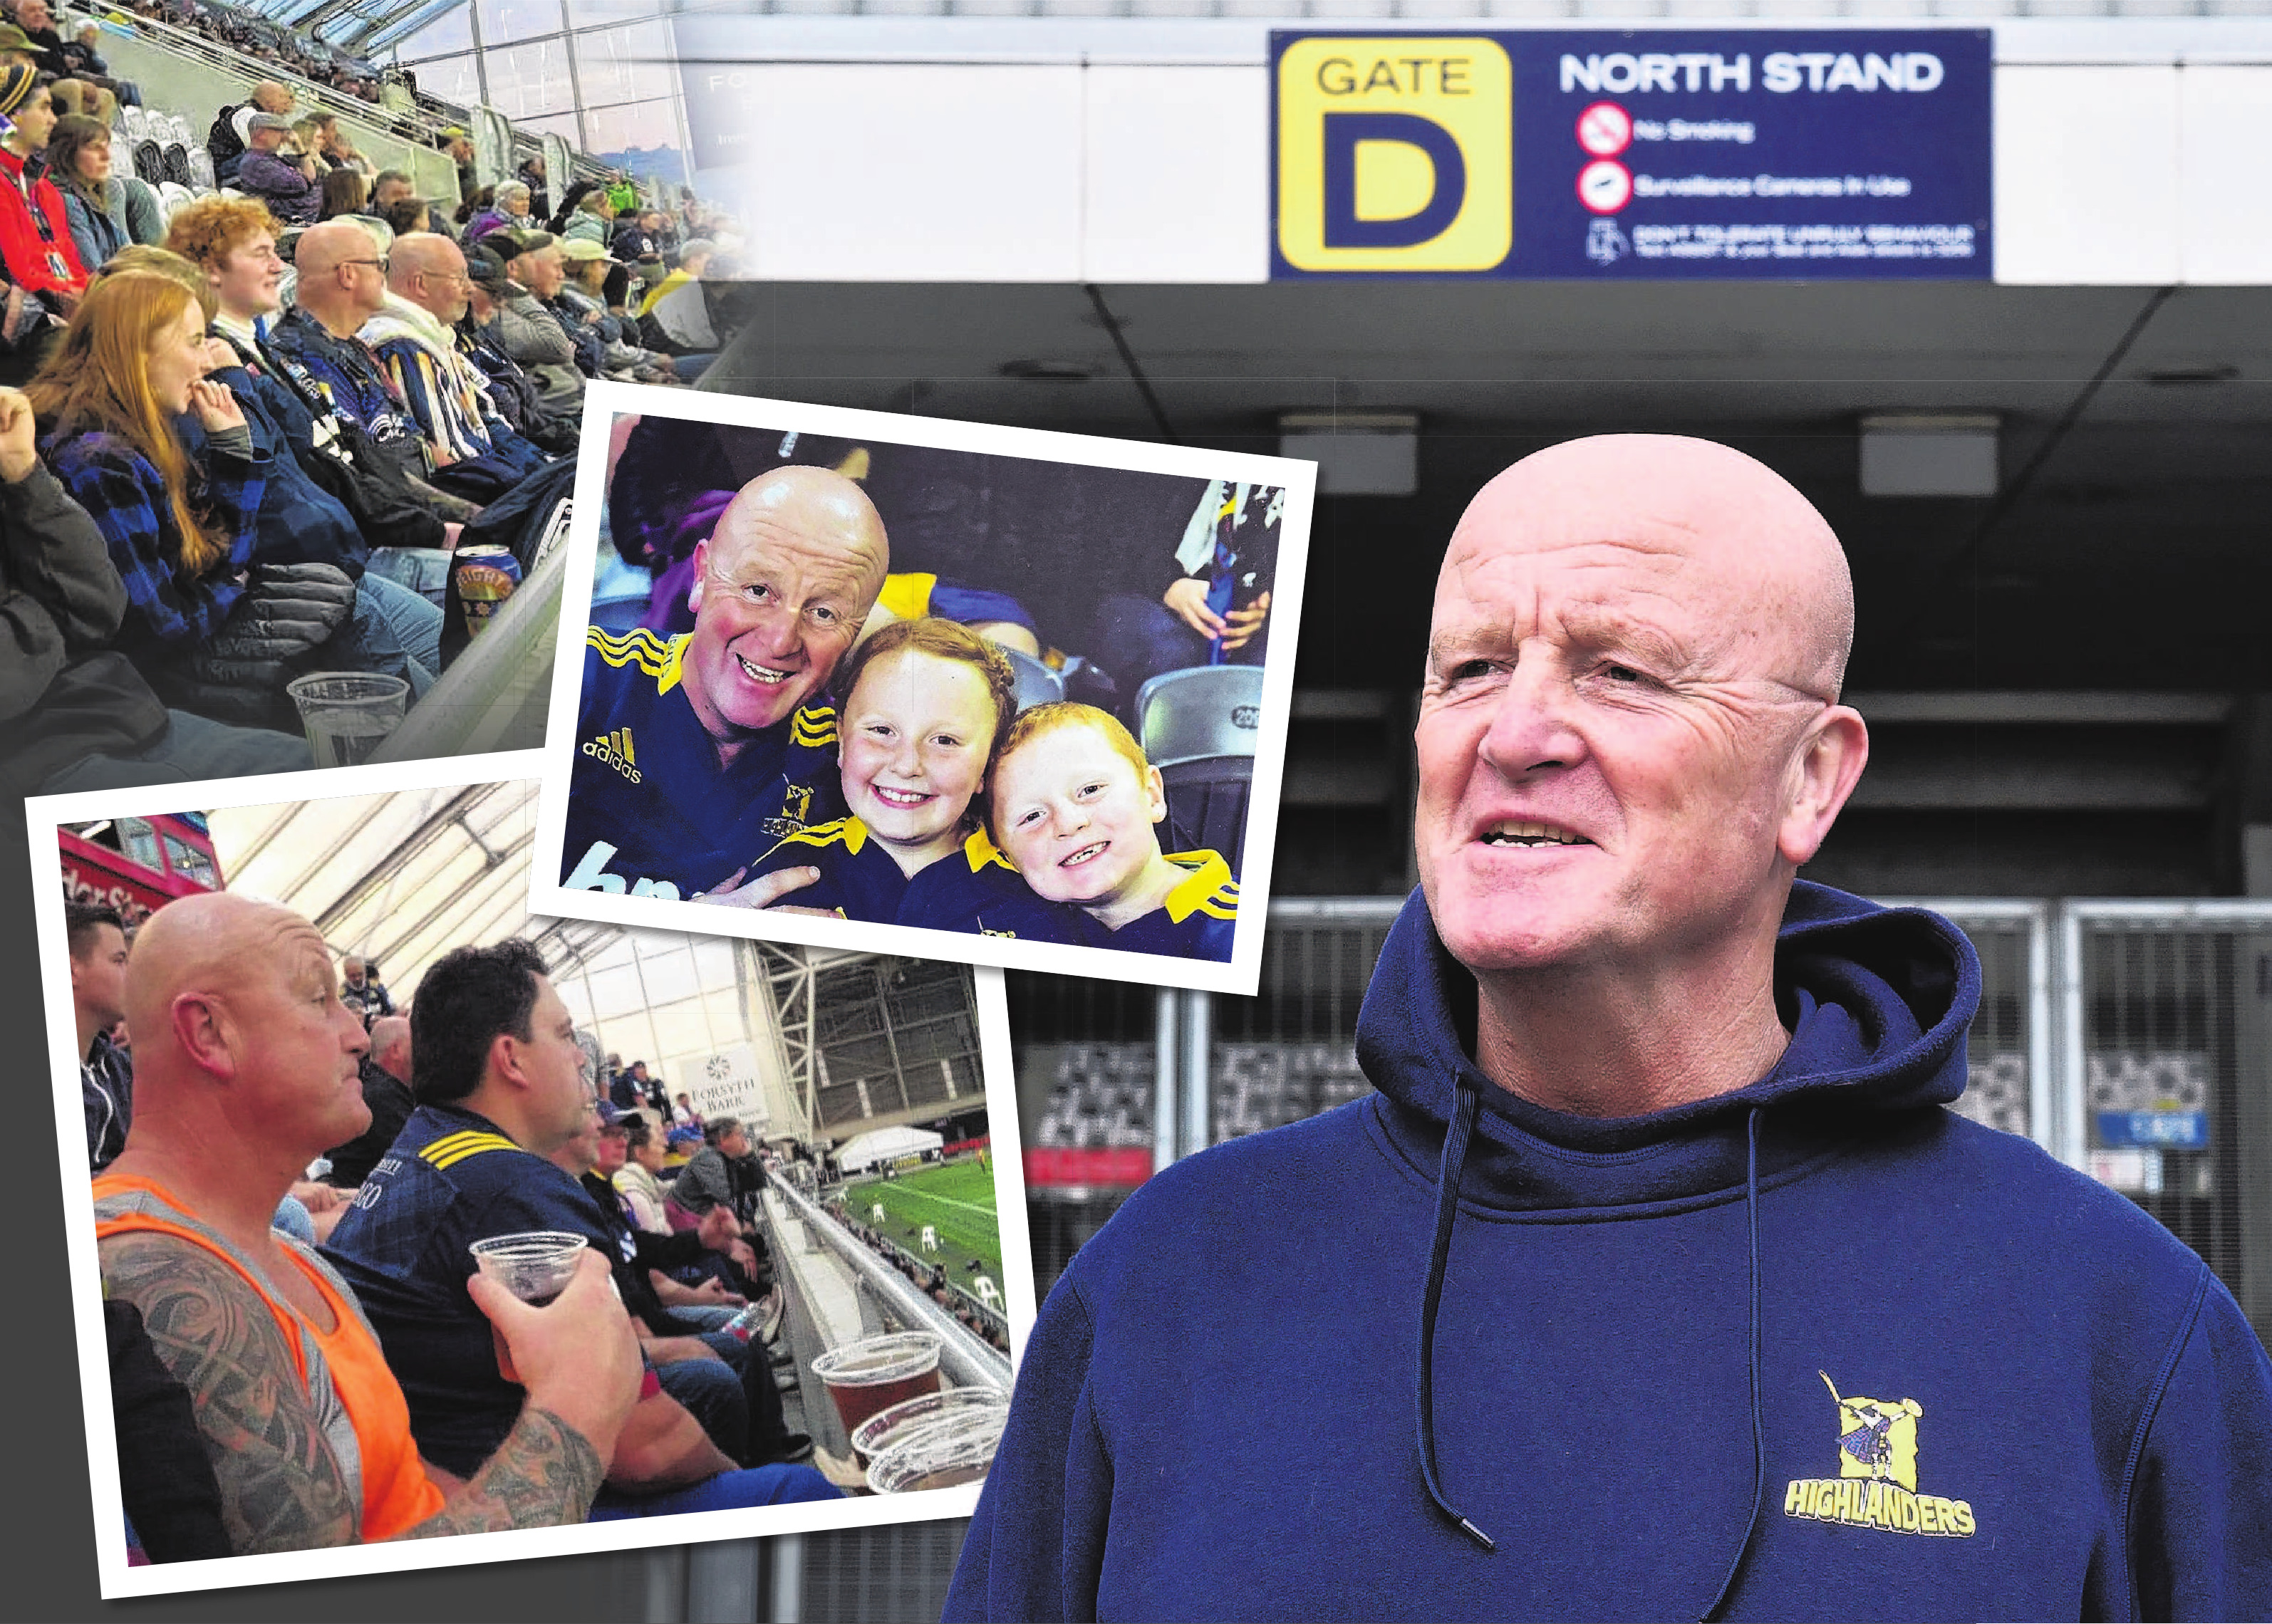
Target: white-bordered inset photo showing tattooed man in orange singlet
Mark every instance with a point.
(762, 1207)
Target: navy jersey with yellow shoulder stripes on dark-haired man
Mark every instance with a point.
(449, 1180)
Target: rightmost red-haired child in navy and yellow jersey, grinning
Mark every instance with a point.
(1076, 812)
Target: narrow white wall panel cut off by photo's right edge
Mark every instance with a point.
(2225, 206)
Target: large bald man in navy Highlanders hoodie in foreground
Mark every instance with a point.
(1692, 1296)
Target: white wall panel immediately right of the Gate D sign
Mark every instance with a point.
(2087, 176)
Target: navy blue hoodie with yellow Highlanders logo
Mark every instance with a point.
(1819, 1348)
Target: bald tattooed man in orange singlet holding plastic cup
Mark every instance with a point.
(247, 1071)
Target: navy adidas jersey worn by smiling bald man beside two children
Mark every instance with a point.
(649, 807)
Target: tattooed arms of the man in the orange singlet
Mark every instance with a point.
(281, 1484)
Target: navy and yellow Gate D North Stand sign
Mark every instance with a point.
(1780, 153)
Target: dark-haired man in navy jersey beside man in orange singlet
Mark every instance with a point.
(501, 1087)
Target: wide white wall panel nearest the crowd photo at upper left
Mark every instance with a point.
(914, 174)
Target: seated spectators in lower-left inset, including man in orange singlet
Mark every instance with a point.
(458, 1407)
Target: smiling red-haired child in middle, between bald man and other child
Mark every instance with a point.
(924, 708)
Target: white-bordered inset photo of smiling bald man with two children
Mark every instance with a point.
(901, 685)
